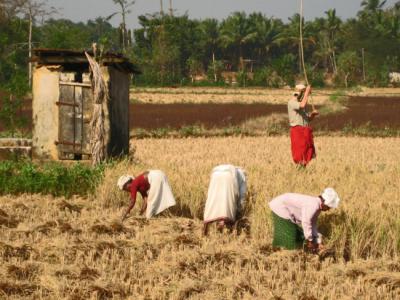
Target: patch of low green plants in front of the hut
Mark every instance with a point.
(18, 177)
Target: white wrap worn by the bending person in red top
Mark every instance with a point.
(160, 196)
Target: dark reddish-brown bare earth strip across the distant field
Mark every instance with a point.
(379, 112)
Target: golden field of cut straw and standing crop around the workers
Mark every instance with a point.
(77, 248)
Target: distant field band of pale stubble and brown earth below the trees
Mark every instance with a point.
(161, 112)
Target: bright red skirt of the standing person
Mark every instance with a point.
(303, 149)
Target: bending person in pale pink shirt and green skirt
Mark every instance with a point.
(295, 219)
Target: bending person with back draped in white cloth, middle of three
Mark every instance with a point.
(225, 197)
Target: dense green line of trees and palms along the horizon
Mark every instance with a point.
(174, 49)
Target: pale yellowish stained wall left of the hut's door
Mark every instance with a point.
(45, 112)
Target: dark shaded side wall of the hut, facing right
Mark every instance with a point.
(118, 109)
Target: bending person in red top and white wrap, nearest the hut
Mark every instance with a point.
(154, 188)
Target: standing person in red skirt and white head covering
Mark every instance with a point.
(301, 135)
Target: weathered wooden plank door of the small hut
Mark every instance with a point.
(75, 109)
